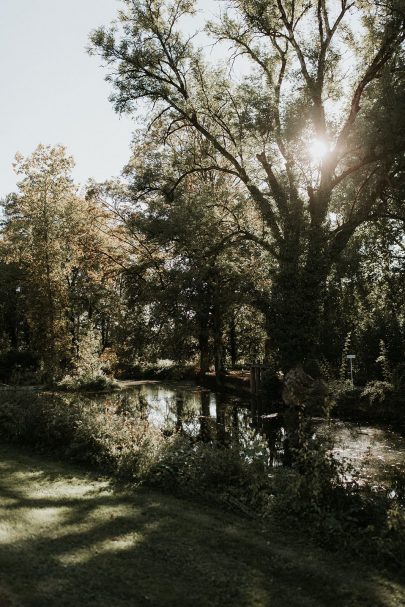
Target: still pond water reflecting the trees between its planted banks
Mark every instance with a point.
(374, 452)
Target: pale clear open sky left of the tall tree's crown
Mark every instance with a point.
(53, 92)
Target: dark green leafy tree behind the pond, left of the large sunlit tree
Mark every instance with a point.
(197, 257)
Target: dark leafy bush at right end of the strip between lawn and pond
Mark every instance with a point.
(324, 496)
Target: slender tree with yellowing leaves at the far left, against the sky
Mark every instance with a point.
(37, 233)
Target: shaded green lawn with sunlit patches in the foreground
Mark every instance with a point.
(68, 538)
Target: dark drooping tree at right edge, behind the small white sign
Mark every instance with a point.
(366, 298)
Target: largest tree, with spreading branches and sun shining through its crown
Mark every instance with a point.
(314, 148)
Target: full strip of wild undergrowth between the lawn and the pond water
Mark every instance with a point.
(318, 494)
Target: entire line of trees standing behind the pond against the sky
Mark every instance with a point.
(258, 217)
